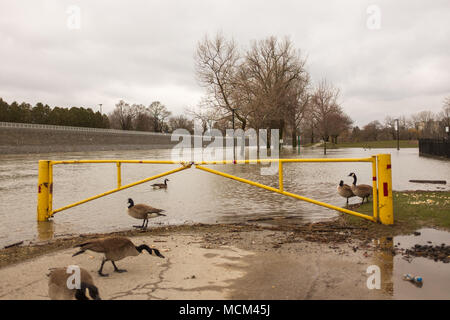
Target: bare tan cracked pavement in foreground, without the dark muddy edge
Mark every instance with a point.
(232, 264)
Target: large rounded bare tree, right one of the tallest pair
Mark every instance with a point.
(275, 81)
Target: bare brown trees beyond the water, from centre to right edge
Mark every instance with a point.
(267, 86)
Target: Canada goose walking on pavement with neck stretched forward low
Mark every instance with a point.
(115, 249)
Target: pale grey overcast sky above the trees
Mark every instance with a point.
(142, 51)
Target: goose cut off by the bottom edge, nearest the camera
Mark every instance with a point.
(58, 289)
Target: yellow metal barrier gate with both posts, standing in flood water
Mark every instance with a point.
(381, 183)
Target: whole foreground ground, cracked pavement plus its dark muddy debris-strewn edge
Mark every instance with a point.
(232, 261)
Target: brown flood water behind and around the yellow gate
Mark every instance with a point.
(192, 195)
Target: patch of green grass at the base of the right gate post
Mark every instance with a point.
(412, 210)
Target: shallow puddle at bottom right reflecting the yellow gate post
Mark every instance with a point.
(436, 275)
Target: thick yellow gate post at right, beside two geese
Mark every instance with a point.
(385, 202)
